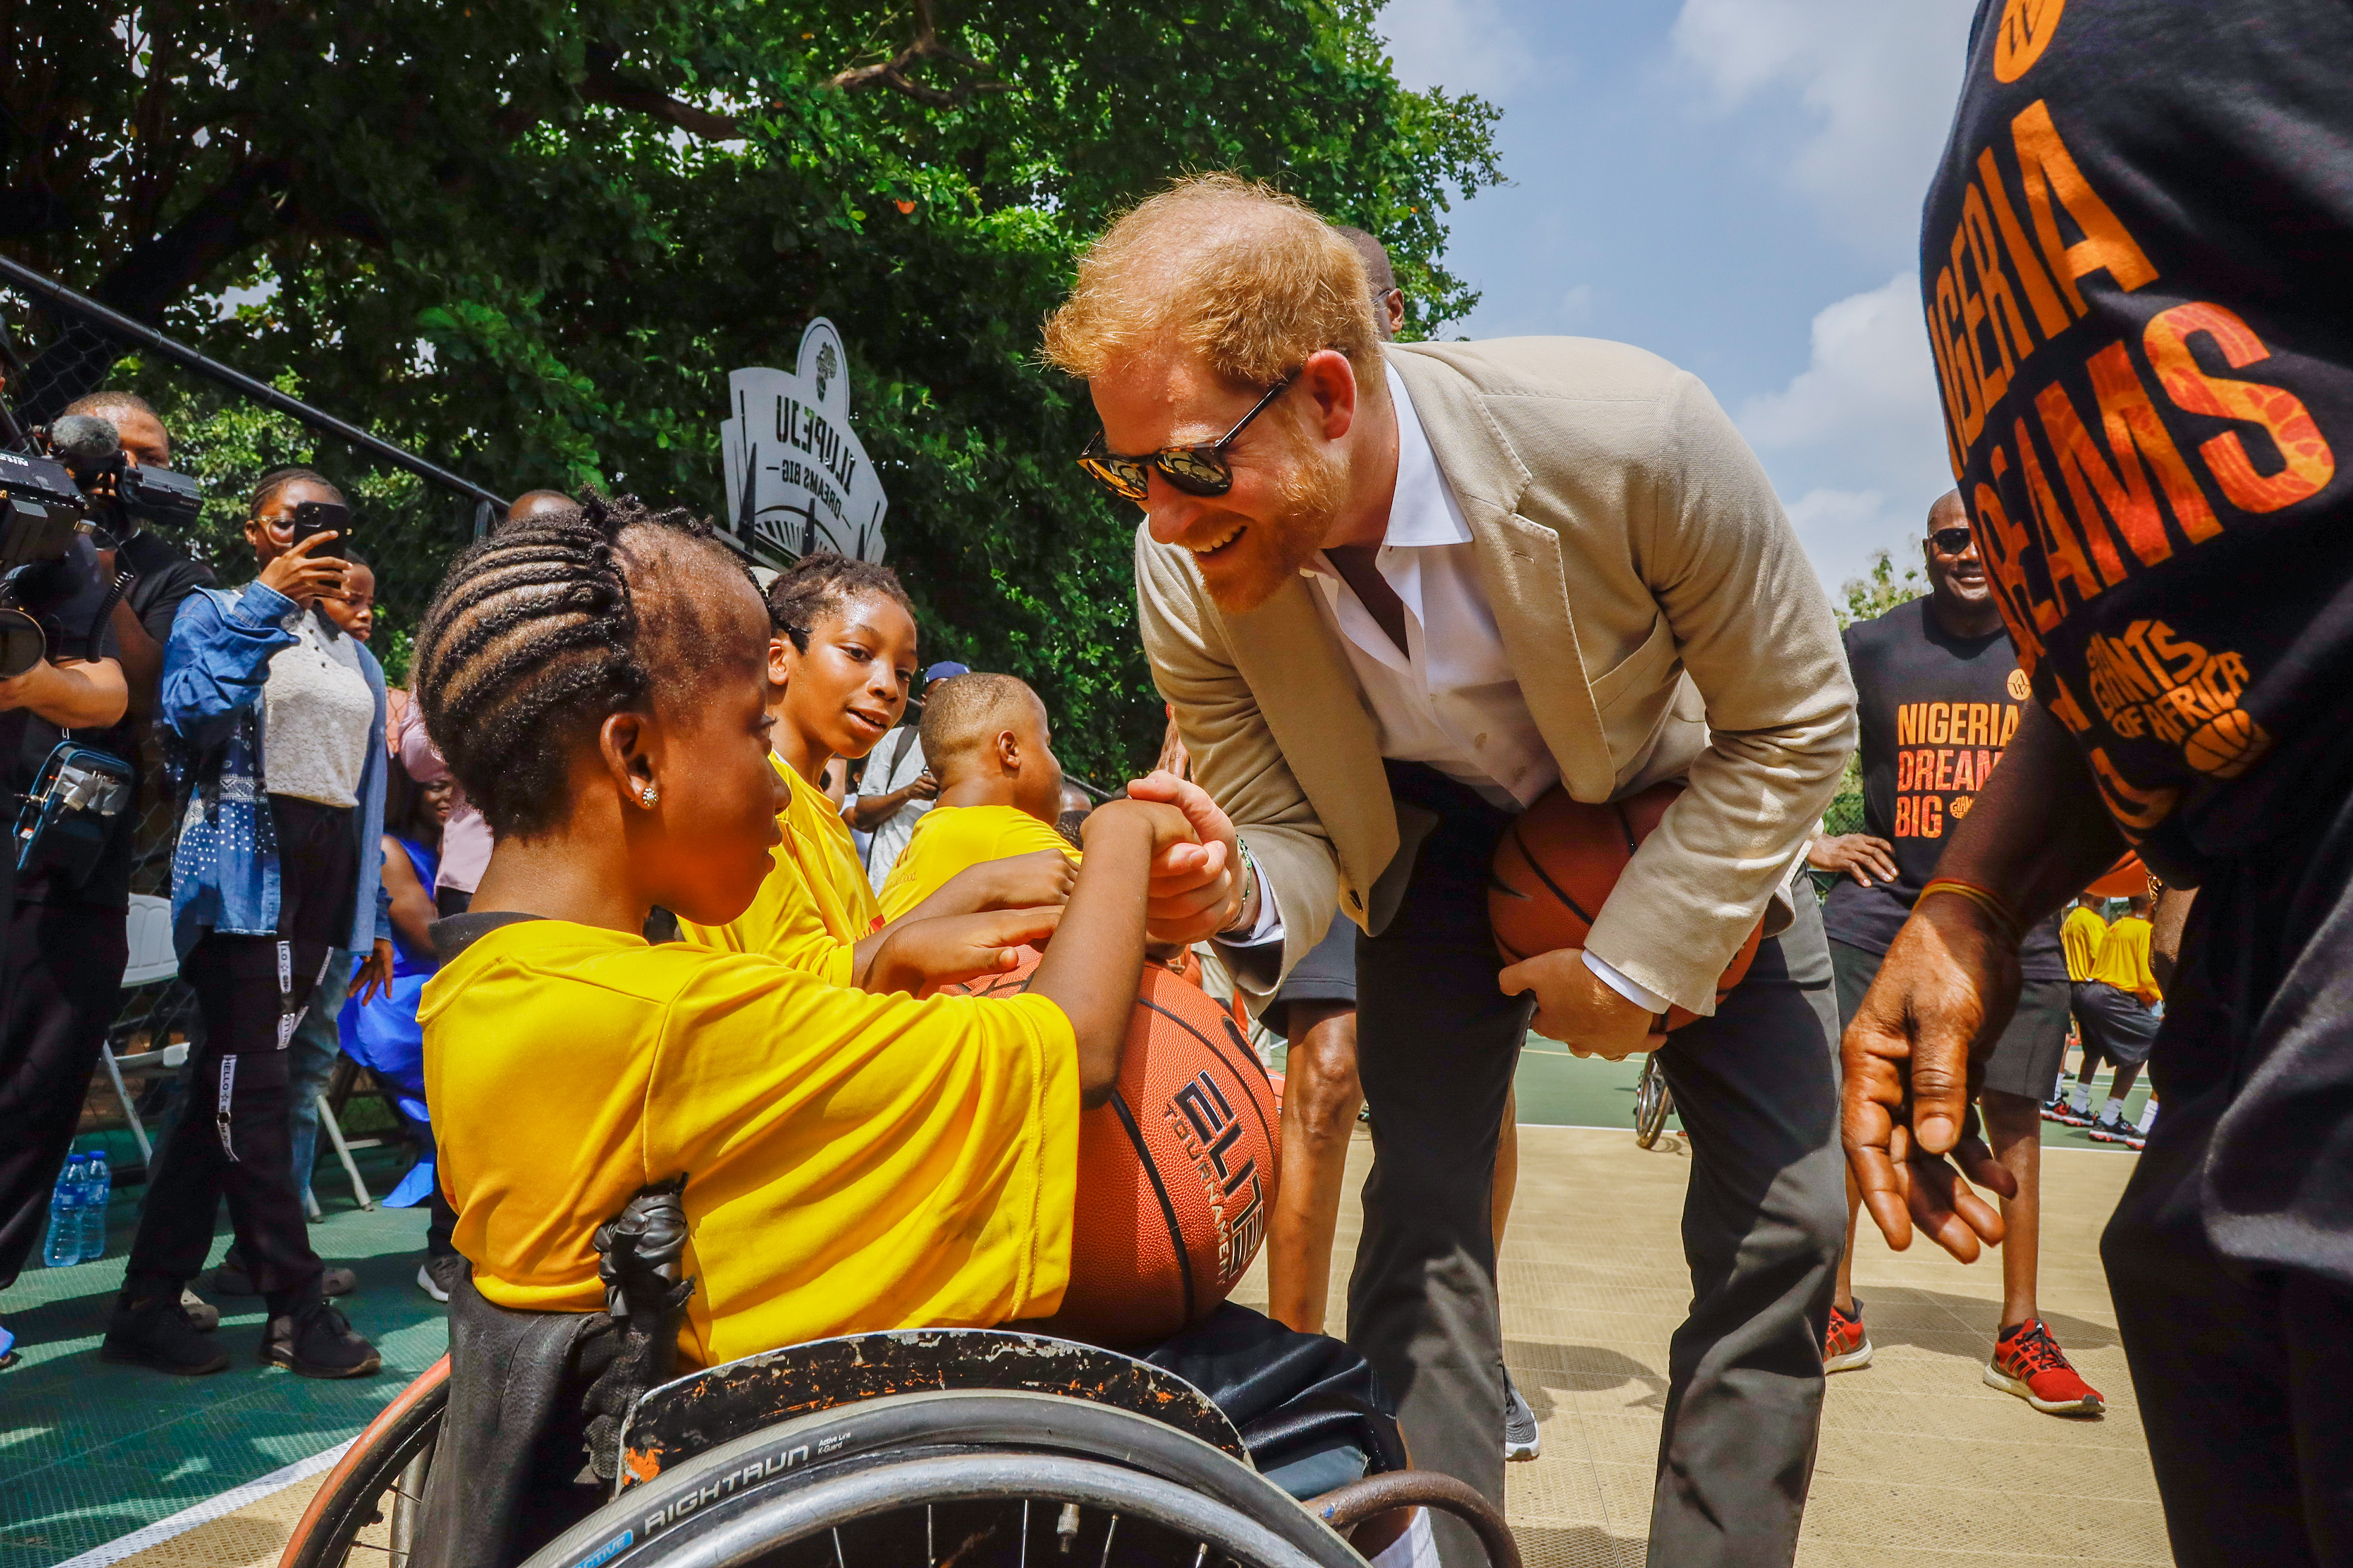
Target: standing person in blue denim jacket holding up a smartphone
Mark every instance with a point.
(274, 718)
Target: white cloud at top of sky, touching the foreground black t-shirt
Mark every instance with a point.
(1879, 79)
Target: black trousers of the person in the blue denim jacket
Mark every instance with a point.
(234, 1137)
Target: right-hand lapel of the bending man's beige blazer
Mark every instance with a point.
(1519, 568)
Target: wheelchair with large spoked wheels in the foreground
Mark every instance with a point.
(919, 1449)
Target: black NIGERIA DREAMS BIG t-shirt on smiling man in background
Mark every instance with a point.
(1935, 716)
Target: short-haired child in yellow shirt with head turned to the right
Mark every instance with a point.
(992, 749)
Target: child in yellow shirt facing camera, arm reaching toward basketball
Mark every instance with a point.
(841, 657)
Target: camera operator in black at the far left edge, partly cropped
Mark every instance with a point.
(65, 930)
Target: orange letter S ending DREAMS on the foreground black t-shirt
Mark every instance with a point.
(2307, 462)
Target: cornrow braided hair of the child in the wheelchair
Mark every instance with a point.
(538, 638)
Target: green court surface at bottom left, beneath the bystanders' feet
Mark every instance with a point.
(91, 1452)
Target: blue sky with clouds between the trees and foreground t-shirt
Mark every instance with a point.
(1733, 185)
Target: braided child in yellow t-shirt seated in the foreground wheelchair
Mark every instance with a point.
(853, 1162)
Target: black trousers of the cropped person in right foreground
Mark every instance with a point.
(2232, 1252)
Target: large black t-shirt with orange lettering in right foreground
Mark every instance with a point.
(2135, 262)
